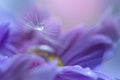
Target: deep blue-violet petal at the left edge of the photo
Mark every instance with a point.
(6, 48)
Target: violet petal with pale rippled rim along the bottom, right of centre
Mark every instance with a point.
(79, 73)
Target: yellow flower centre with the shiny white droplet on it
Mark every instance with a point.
(46, 53)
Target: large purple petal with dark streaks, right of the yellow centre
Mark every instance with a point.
(84, 49)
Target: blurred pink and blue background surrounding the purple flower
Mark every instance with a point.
(72, 13)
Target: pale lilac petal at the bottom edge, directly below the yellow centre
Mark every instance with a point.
(44, 72)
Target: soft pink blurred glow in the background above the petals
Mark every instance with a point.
(74, 12)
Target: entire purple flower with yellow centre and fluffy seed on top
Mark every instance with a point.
(38, 33)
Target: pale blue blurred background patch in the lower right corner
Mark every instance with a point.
(112, 66)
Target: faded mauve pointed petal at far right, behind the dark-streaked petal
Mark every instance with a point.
(108, 25)
